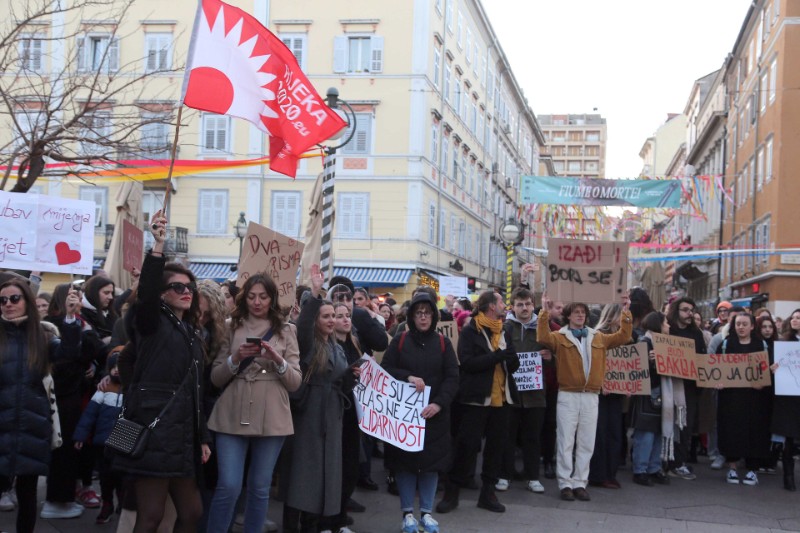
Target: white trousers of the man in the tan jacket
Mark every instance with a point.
(576, 419)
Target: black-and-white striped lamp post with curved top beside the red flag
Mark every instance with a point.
(328, 179)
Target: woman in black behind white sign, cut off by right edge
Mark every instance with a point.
(786, 411)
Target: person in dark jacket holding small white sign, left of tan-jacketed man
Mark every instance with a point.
(527, 415)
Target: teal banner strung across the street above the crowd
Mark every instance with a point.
(601, 192)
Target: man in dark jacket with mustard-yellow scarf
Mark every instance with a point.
(488, 360)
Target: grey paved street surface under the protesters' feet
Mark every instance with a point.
(706, 505)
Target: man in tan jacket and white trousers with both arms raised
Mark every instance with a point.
(580, 354)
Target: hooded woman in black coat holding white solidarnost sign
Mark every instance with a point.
(424, 357)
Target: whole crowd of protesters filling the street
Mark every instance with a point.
(243, 399)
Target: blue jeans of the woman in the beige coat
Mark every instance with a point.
(231, 453)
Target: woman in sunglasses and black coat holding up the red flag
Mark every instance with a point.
(167, 365)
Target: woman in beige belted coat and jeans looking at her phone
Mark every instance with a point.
(253, 410)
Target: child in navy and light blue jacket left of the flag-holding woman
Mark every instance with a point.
(97, 421)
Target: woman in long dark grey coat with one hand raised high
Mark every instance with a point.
(315, 472)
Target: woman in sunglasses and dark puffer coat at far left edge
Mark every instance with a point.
(25, 357)
